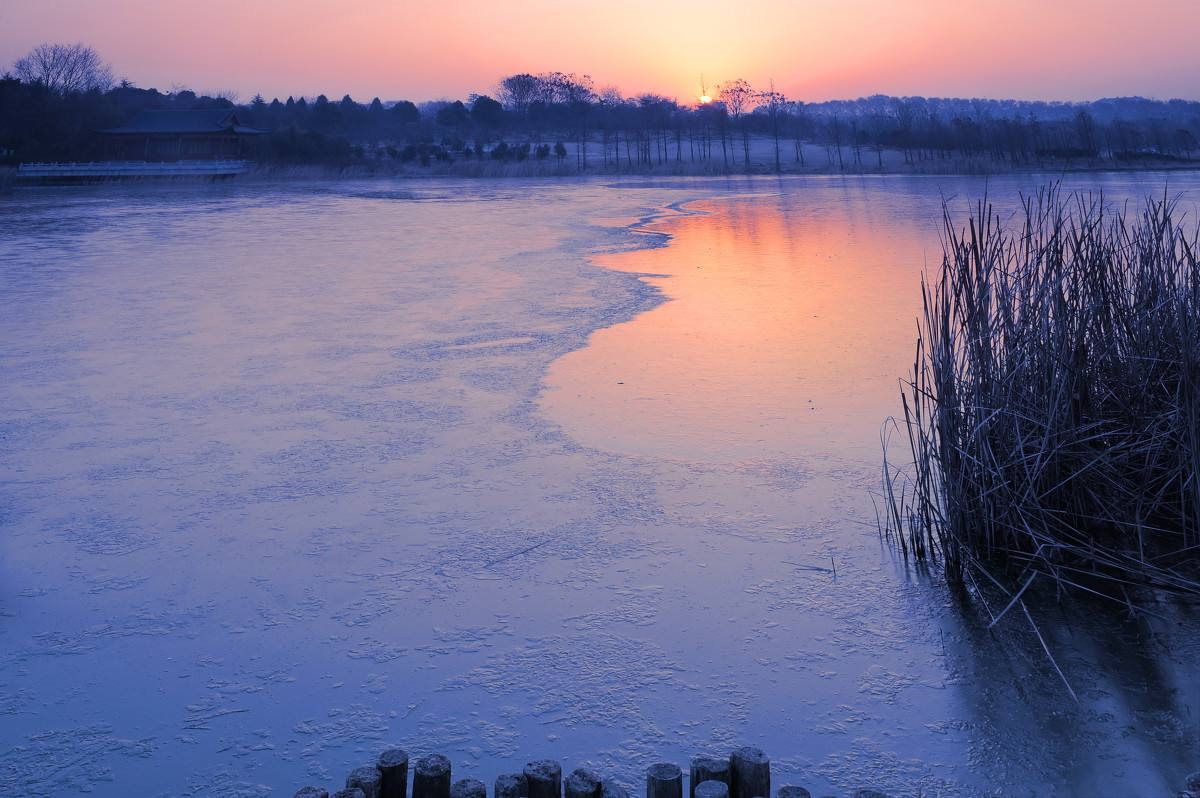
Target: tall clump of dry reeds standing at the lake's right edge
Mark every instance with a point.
(1053, 415)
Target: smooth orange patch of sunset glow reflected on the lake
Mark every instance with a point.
(781, 337)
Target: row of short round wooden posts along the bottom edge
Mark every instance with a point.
(743, 775)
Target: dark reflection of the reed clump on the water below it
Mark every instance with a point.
(1135, 731)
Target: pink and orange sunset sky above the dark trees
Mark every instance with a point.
(813, 50)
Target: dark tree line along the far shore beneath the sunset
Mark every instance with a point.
(57, 98)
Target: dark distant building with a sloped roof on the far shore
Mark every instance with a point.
(182, 136)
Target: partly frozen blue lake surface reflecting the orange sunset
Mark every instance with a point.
(507, 471)
